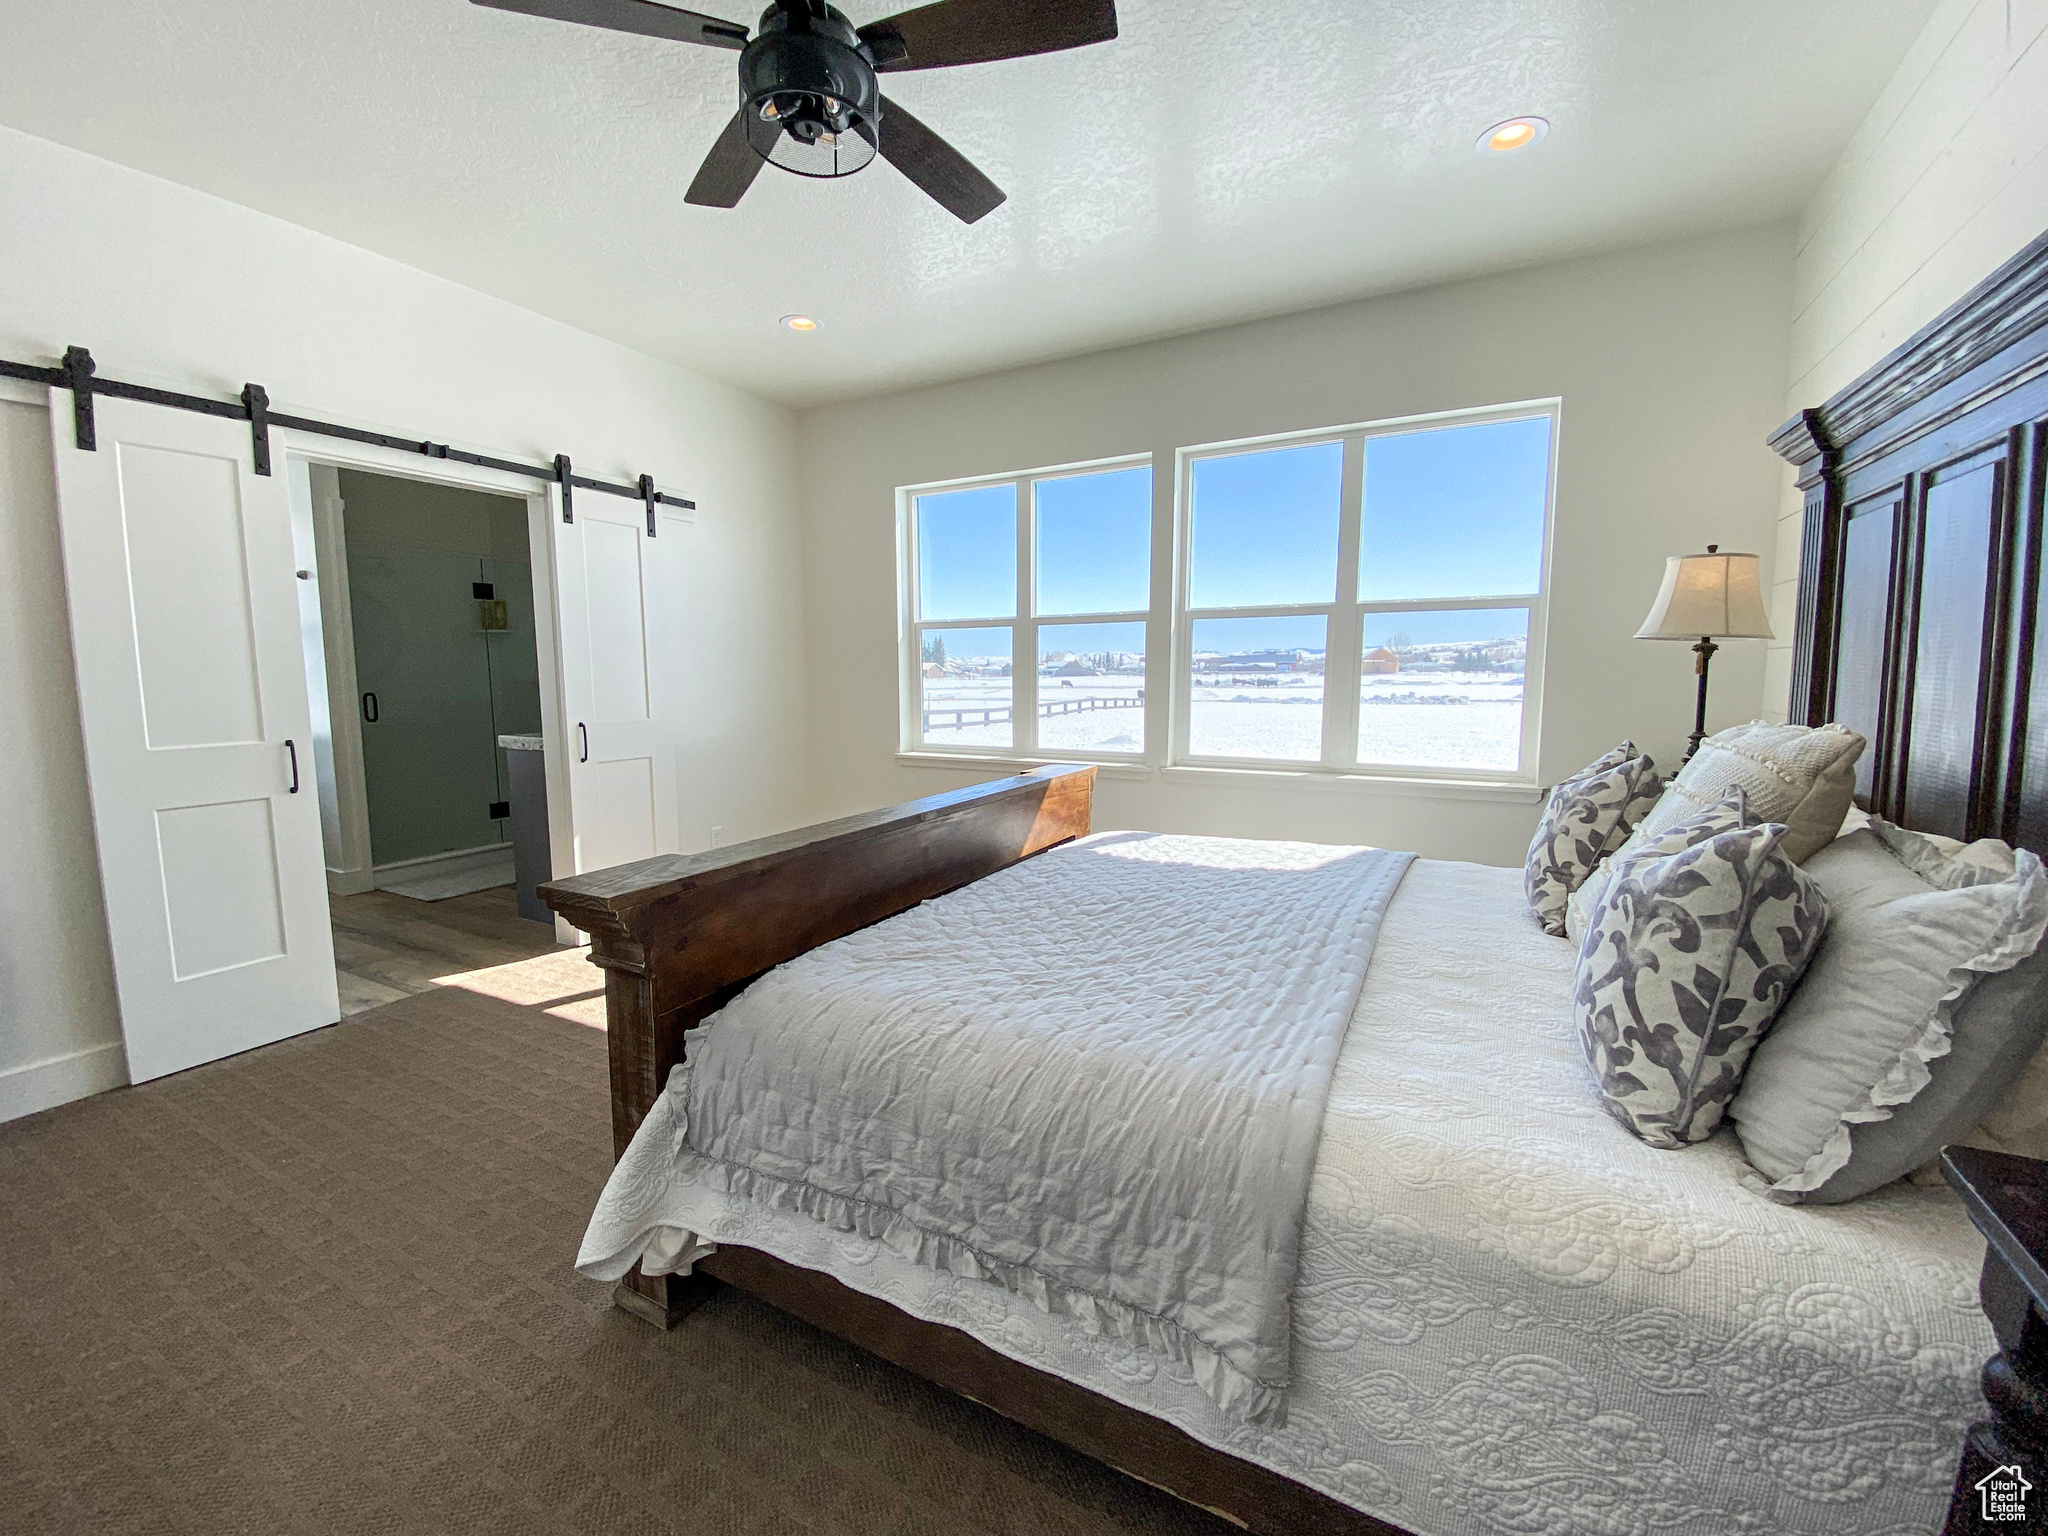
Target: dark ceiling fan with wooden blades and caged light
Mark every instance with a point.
(808, 93)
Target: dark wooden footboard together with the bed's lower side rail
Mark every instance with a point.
(683, 935)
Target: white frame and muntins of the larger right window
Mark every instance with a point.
(1345, 613)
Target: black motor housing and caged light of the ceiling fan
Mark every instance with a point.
(810, 93)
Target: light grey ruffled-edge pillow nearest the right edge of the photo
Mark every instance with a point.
(1922, 1007)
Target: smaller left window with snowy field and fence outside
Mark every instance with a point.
(1029, 603)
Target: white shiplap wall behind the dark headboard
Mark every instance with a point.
(1943, 183)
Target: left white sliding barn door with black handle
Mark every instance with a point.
(200, 753)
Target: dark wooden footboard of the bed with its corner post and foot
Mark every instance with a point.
(685, 933)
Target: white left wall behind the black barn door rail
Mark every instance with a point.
(181, 290)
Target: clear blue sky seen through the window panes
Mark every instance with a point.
(1447, 513)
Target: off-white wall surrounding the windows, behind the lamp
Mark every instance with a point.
(1670, 364)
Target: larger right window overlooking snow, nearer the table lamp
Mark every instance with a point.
(1369, 601)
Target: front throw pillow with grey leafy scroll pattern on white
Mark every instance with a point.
(1684, 968)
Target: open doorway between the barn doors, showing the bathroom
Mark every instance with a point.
(425, 669)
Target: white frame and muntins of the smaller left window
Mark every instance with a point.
(1023, 628)
